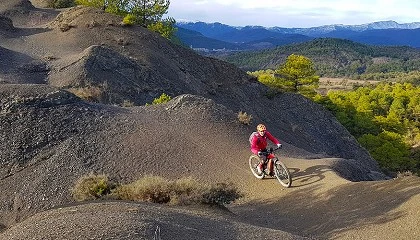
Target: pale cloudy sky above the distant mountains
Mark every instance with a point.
(294, 13)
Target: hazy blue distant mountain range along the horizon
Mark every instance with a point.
(221, 37)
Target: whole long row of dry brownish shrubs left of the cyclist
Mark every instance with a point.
(184, 191)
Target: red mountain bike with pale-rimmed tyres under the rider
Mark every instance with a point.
(279, 169)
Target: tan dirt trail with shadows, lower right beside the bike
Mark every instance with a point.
(322, 205)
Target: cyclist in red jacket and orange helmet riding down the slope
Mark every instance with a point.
(258, 142)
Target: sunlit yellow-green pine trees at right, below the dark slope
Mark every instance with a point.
(385, 119)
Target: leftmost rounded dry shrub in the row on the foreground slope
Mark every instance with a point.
(91, 187)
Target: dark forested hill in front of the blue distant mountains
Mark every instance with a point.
(337, 58)
